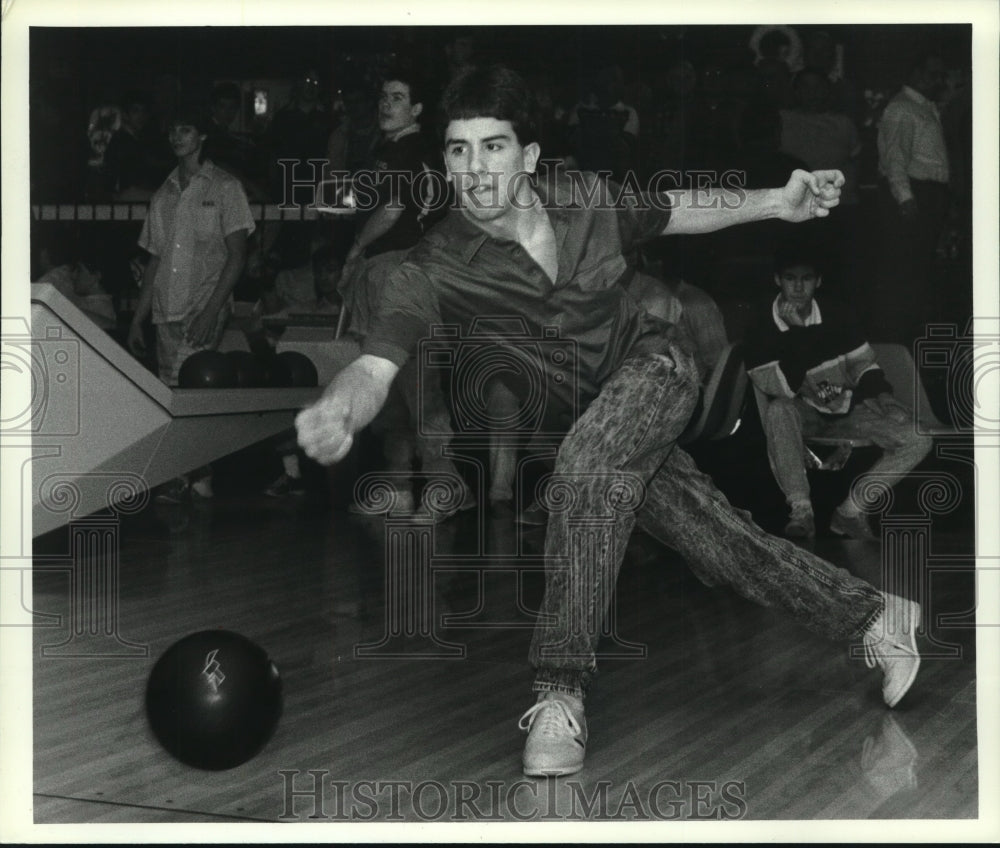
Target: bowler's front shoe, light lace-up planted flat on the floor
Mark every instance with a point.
(557, 735)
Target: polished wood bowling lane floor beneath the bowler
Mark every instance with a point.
(713, 707)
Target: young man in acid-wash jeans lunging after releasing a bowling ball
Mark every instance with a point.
(554, 258)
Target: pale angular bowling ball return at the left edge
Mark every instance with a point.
(99, 430)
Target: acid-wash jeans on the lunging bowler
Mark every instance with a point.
(619, 466)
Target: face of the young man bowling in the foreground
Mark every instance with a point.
(488, 166)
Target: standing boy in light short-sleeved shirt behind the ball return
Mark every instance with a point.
(196, 234)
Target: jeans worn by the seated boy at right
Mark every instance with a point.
(788, 420)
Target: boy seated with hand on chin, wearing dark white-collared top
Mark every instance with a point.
(822, 379)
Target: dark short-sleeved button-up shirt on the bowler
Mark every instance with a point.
(479, 285)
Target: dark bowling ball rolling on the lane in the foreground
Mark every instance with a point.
(213, 699)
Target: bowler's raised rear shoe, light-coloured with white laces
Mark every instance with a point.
(891, 644)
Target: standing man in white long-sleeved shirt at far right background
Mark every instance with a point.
(913, 162)
